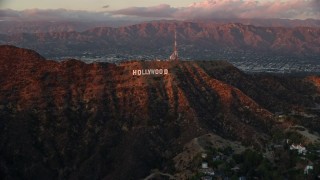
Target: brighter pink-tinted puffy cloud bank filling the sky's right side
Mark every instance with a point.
(291, 9)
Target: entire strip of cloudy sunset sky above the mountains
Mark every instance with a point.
(99, 10)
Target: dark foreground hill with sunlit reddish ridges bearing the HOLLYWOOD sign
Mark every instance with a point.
(72, 120)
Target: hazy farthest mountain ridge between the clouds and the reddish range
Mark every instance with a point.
(14, 27)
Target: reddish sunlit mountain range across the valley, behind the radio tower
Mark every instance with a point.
(157, 38)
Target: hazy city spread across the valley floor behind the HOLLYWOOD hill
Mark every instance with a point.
(247, 61)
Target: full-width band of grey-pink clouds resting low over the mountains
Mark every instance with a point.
(208, 9)
